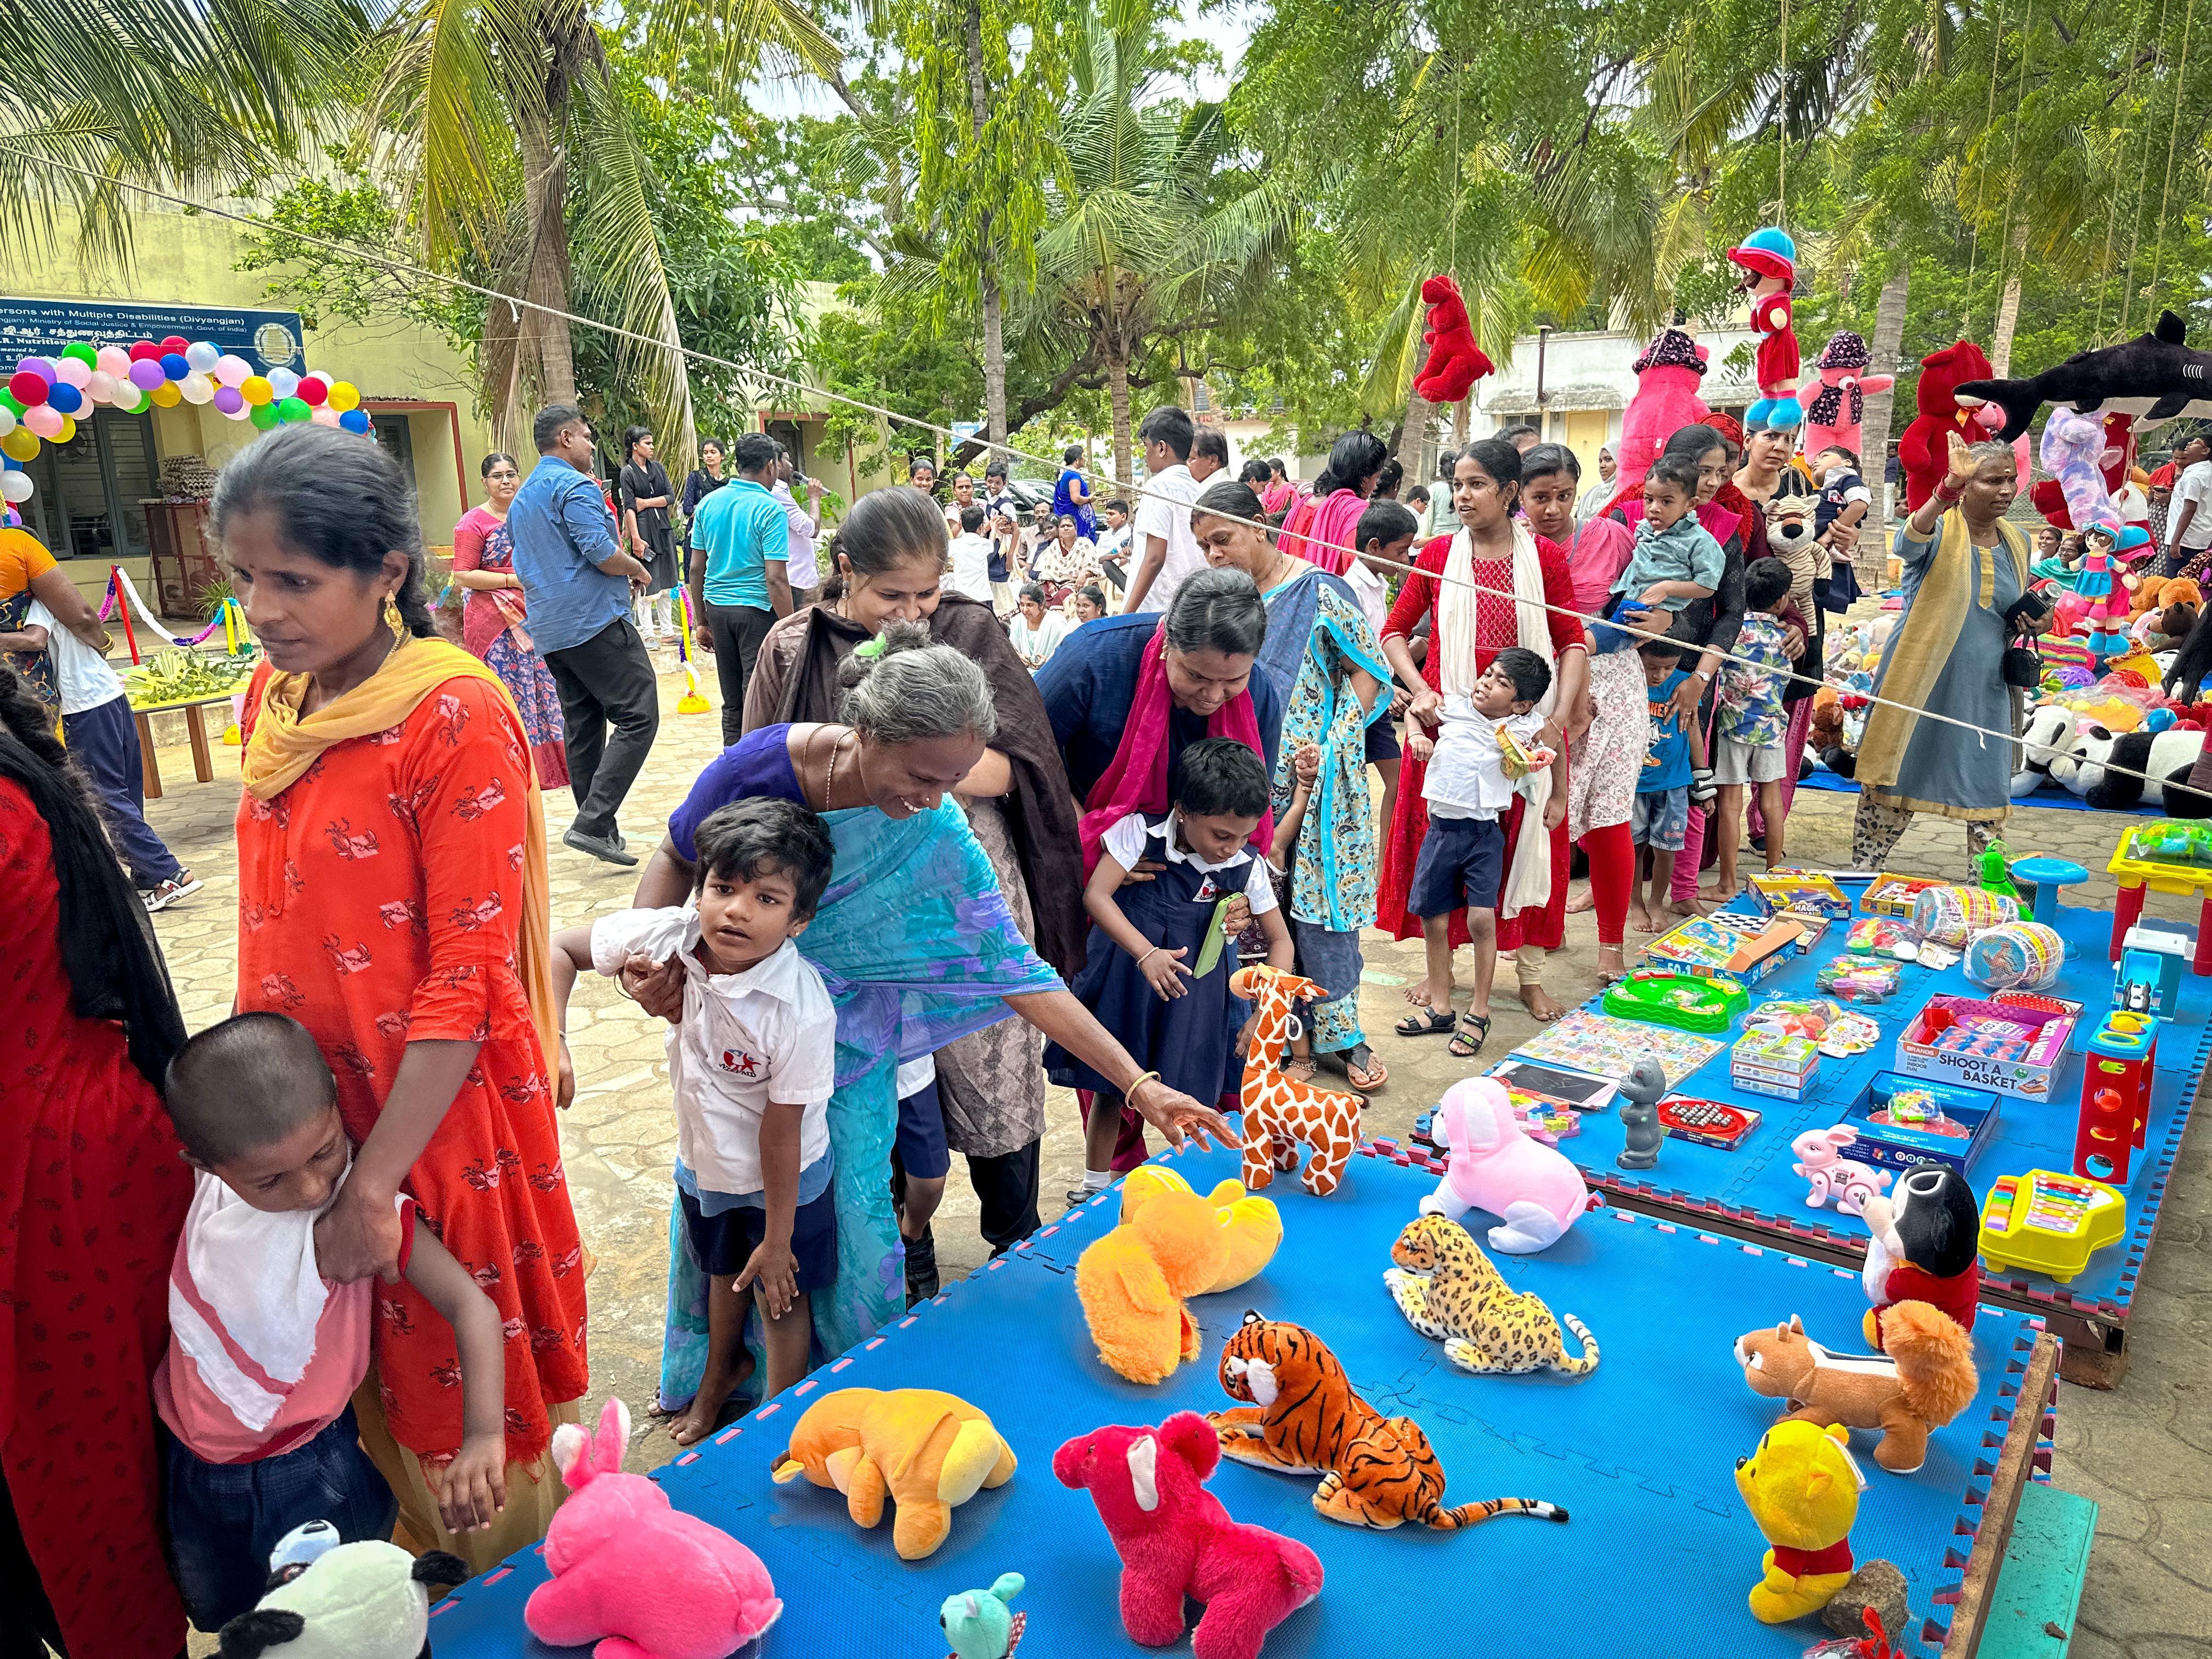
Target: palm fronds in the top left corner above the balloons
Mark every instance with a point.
(156, 92)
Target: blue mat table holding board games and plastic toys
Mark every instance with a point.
(1751, 1191)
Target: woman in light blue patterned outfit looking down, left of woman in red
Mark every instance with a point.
(1328, 671)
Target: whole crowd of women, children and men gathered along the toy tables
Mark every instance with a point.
(1001, 804)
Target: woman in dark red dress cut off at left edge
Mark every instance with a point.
(94, 1196)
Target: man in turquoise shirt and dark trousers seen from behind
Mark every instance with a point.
(740, 574)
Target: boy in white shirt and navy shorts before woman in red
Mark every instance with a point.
(1463, 859)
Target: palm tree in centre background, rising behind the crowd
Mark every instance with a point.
(1156, 227)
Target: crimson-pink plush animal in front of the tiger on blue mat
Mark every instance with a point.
(1176, 1541)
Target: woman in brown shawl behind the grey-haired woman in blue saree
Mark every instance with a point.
(890, 563)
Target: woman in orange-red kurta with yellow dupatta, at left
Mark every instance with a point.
(393, 899)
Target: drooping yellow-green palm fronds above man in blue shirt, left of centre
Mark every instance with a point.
(521, 158)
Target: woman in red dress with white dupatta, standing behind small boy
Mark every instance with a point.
(1496, 552)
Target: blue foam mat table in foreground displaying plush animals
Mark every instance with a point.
(1656, 1561)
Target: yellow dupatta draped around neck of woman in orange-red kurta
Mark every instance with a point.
(286, 744)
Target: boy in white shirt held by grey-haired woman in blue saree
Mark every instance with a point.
(753, 1067)
